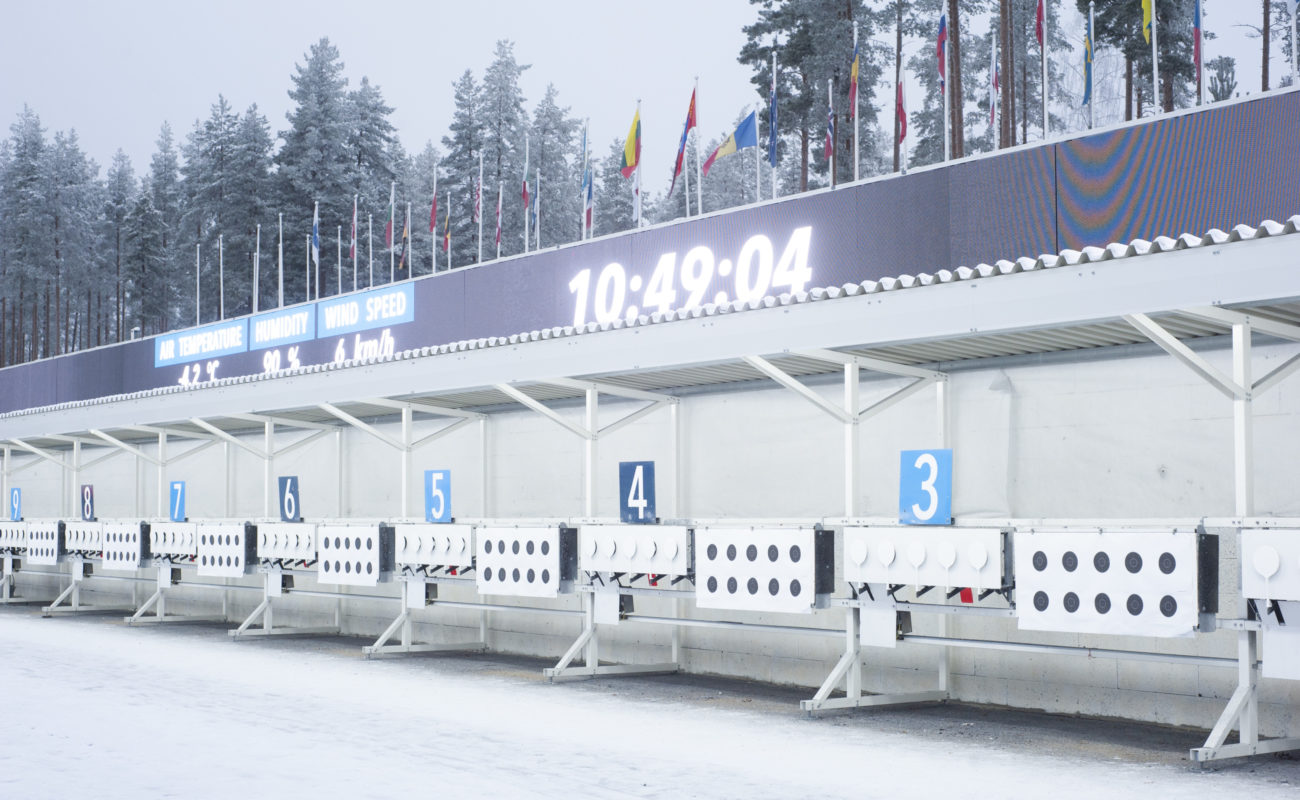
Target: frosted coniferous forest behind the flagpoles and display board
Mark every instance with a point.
(96, 254)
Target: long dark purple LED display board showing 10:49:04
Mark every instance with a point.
(1216, 168)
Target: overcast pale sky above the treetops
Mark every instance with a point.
(115, 71)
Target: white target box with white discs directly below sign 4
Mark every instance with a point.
(638, 550)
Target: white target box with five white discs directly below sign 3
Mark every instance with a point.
(925, 557)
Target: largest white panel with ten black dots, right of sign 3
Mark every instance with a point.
(1143, 583)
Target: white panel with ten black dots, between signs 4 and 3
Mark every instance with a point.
(764, 569)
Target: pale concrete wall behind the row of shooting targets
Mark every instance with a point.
(1133, 435)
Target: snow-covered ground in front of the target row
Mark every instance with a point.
(92, 708)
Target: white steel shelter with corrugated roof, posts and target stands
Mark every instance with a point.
(1240, 286)
